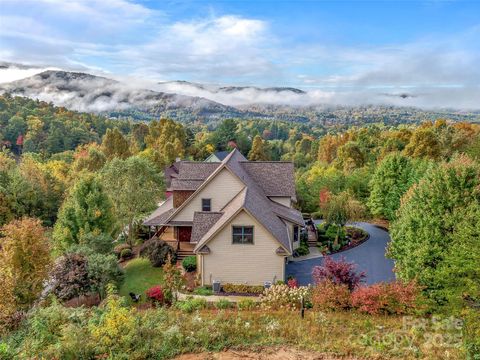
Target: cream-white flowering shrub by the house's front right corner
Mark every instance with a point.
(283, 297)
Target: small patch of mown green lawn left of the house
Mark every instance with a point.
(140, 275)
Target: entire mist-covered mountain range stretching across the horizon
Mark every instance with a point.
(204, 103)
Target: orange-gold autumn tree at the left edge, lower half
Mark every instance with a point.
(24, 261)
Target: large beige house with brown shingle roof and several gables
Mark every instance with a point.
(236, 216)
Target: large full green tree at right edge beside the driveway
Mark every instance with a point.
(429, 222)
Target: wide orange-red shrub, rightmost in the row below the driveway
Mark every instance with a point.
(386, 298)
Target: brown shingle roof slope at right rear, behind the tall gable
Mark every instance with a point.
(276, 178)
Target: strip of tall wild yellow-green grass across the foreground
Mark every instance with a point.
(188, 327)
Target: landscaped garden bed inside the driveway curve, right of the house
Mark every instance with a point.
(348, 237)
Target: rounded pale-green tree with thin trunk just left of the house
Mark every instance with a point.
(135, 188)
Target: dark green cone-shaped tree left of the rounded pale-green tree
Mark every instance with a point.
(87, 209)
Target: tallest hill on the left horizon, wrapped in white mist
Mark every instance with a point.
(89, 93)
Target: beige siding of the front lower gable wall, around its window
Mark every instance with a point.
(243, 264)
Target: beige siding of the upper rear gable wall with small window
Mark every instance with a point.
(221, 189)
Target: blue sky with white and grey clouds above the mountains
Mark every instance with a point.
(424, 47)
